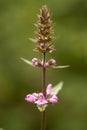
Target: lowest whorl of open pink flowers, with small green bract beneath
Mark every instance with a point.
(42, 101)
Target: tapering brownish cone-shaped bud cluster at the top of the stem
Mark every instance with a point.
(44, 32)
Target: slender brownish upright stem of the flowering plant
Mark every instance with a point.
(43, 114)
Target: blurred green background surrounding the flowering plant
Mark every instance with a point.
(18, 79)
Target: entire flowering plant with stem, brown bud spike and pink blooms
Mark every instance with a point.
(43, 40)
